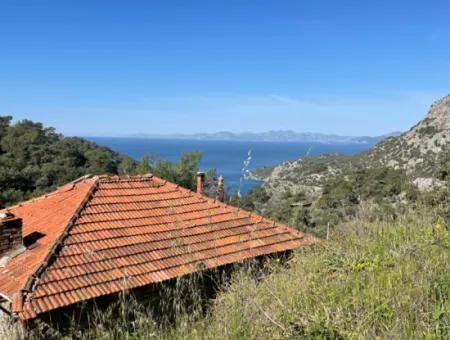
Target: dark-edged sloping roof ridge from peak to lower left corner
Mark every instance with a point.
(32, 281)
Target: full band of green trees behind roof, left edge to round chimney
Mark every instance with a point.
(35, 159)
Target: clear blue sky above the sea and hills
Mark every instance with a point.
(123, 67)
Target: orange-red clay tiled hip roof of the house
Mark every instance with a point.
(106, 234)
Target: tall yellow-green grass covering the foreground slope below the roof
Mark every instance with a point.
(382, 279)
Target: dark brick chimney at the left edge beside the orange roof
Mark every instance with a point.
(10, 232)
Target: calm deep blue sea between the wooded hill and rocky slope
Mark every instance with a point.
(224, 156)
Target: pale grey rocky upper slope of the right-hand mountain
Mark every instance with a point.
(416, 151)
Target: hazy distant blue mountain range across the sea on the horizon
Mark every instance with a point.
(273, 136)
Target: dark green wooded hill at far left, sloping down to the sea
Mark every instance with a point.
(35, 159)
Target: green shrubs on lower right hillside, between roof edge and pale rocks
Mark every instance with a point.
(389, 191)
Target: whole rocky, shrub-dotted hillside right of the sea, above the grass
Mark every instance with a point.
(316, 193)
